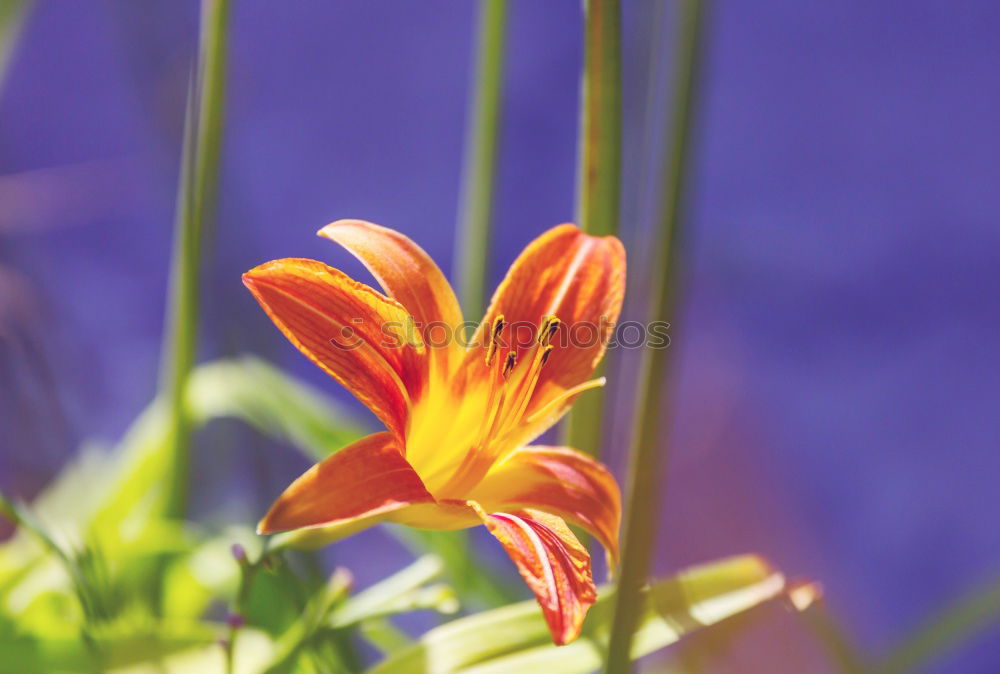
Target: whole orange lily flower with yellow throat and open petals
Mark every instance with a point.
(459, 416)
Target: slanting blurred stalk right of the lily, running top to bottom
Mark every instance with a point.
(652, 425)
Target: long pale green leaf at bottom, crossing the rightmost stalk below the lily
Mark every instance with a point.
(515, 638)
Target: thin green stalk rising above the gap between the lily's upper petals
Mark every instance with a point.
(479, 170)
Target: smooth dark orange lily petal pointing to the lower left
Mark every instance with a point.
(363, 481)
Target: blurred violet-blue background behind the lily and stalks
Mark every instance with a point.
(839, 370)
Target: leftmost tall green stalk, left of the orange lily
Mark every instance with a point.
(195, 205)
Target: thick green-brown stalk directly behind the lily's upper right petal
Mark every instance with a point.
(598, 170)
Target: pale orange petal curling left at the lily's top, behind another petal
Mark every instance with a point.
(407, 274)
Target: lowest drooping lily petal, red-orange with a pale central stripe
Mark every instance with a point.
(552, 562)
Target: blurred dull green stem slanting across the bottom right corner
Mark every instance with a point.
(958, 623)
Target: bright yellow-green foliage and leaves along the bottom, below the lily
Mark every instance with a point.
(98, 576)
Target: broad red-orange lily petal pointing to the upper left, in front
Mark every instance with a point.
(352, 332)
